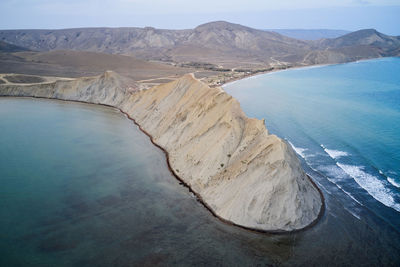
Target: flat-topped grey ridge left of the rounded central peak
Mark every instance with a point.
(109, 40)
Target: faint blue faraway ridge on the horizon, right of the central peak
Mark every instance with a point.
(311, 34)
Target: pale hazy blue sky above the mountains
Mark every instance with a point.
(383, 15)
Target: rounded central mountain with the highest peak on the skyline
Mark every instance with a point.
(229, 44)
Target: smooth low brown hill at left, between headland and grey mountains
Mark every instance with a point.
(63, 63)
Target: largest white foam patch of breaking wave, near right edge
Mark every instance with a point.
(371, 184)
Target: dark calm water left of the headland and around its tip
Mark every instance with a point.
(82, 186)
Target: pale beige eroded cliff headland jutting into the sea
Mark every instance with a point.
(242, 173)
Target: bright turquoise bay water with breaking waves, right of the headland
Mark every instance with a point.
(343, 121)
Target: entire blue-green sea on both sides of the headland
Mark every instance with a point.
(81, 185)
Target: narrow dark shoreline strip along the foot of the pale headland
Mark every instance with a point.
(198, 197)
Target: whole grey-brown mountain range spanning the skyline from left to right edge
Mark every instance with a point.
(220, 44)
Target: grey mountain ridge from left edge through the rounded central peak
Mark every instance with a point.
(216, 42)
